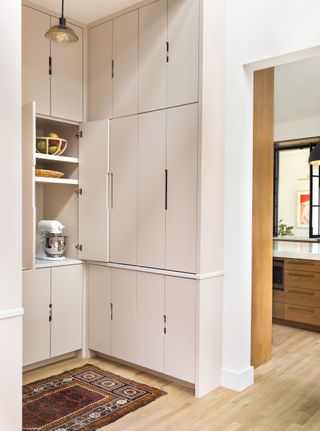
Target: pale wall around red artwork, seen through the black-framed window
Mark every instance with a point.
(293, 177)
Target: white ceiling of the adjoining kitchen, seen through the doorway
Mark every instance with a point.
(297, 90)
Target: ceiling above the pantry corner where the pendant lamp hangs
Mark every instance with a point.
(86, 11)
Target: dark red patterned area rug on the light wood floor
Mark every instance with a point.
(84, 399)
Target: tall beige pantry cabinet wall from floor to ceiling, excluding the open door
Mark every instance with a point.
(165, 189)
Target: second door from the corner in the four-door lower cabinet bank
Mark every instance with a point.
(124, 314)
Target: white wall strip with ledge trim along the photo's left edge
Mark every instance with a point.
(10, 218)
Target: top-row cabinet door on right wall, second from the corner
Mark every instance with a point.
(125, 56)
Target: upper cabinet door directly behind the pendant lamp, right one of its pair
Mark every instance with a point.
(67, 78)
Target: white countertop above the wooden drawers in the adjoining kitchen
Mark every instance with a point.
(296, 250)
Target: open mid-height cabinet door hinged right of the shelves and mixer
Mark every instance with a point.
(93, 203)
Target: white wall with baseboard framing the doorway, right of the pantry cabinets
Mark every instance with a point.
(256, 32)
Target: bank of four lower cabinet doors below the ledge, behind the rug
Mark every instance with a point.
(153, 319)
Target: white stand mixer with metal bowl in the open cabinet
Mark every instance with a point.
(52, 243)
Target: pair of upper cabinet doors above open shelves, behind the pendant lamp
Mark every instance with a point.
(56, 89)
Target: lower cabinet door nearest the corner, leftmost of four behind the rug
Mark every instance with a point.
(99, 309)
